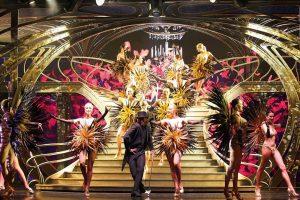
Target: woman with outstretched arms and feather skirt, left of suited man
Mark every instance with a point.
(89, 138)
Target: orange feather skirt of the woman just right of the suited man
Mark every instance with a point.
(169, 140)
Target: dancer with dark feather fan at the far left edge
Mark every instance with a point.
(21, 128)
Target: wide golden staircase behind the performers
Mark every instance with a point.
(199, 171)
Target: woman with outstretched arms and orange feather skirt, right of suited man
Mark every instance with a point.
(174, 138)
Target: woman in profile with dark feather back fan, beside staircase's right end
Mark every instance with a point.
(228, 133)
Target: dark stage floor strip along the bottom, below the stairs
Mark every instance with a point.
(276, 194)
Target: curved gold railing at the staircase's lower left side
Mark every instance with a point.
(36, 167)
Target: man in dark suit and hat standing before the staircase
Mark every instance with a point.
(136, 140)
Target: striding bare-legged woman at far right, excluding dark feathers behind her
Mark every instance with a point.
(268, 150)
